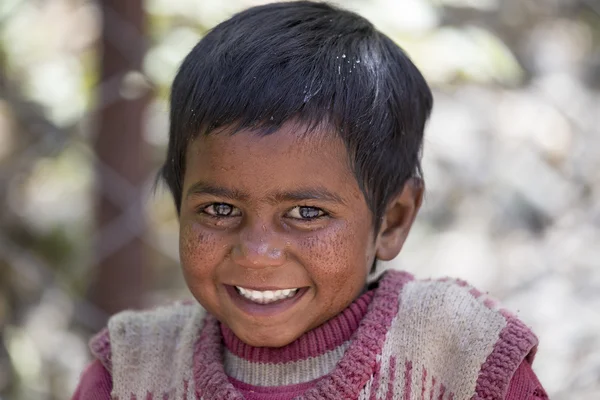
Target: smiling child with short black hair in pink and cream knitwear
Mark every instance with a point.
(293, 158)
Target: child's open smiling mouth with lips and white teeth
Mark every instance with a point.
(264, 302)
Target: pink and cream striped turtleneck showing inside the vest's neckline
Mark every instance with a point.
(284, 373)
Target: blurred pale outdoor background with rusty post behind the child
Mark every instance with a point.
(512, 168)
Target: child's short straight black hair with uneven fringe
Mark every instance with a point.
(313, 63)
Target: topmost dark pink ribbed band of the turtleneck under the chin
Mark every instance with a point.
(329, 336)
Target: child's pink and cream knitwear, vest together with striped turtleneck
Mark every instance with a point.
(414, 340)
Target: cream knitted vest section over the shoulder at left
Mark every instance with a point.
(147, 350)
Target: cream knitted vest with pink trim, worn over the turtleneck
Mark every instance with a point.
(445, 341)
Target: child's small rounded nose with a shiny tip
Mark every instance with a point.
(259, 247)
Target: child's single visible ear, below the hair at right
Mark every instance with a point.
(398, 219)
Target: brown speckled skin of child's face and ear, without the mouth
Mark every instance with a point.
(254, 213)
